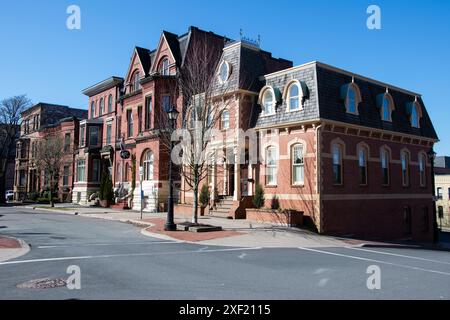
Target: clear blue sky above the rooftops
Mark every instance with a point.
(40, 57)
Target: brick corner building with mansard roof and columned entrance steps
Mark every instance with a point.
(347, 151)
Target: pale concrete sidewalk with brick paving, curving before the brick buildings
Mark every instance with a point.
(236, 233)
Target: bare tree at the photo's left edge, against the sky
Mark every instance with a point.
(10, 121)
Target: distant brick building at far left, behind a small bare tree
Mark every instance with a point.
(37, 122)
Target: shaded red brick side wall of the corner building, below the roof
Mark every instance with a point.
(374, 210)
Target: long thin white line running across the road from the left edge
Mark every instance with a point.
(124, 255)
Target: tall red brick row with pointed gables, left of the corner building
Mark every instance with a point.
(129, 111)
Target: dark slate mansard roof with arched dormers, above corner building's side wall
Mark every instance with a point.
(325, 101)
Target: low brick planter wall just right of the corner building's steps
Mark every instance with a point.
(289, 218)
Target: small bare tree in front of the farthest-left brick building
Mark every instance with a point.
(50, 159)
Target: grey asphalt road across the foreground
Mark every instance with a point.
(117, 262)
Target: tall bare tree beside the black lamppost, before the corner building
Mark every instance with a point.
(204, 100)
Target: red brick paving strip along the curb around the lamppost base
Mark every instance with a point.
(157, 230)
